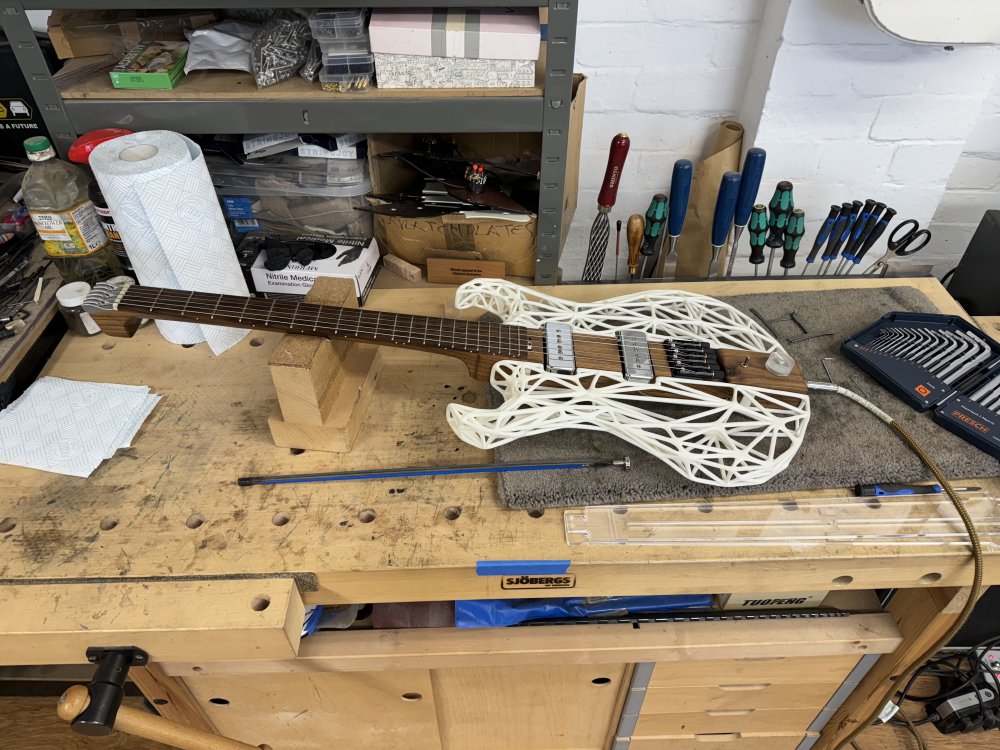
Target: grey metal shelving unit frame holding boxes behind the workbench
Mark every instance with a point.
(315, 111)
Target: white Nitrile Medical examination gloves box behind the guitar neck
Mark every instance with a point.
(298, 279)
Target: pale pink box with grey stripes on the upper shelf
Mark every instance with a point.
(489, 33)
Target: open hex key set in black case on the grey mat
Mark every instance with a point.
(940, 362)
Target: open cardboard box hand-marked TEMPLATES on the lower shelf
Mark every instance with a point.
(454, 235)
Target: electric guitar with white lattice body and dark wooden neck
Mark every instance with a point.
(684, 377)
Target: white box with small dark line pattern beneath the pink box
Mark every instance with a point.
(416, 72)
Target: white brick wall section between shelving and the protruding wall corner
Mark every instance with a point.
(666, 72)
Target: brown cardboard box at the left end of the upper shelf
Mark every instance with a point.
(102, 32)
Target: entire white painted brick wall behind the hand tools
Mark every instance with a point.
(845, 111)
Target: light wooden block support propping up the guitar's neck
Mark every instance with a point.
(323, 386)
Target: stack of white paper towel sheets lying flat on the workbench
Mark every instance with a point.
(69, 426)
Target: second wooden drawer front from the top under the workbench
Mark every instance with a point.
(736, 696)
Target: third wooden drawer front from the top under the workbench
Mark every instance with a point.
(748, 721)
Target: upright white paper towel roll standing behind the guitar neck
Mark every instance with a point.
(160, 193)
